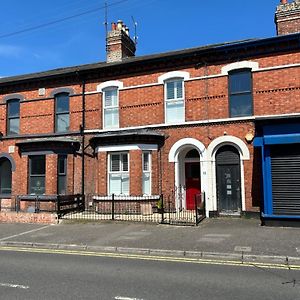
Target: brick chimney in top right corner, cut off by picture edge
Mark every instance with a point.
(287, 17)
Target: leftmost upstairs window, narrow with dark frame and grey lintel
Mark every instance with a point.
(13, 117)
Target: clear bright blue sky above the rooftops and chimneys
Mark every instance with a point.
(163, 25)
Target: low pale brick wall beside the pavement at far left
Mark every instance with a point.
(24, 217)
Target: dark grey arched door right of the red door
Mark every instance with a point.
(228, 175)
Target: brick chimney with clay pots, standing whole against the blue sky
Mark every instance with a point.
(119, 45)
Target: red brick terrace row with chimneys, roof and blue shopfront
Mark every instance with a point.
(222, 119)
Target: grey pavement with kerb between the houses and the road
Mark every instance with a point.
(222, 238)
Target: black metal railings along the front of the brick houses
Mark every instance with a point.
(170, 209)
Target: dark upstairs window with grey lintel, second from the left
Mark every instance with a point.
(62, 112)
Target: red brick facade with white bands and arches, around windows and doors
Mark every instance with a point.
(207, 125)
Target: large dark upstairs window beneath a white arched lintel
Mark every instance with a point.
(240, 93)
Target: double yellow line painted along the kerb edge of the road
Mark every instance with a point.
(154, 258)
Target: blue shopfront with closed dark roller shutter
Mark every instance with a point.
(280, 158)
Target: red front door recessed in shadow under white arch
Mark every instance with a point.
(192, 183)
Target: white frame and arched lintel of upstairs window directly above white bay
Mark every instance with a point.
(106, 86)
